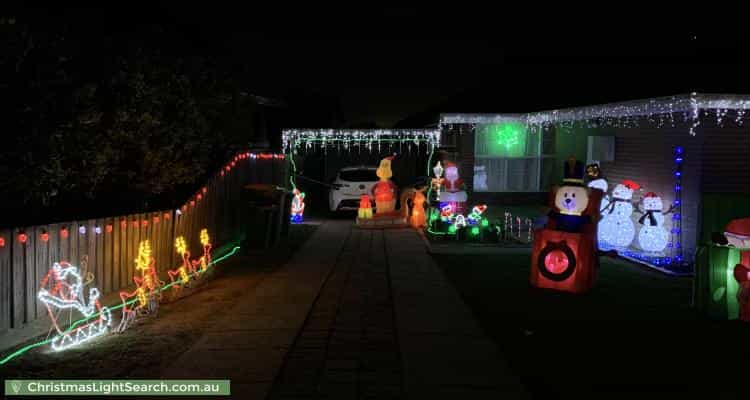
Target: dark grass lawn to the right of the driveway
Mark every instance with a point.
(634, 335)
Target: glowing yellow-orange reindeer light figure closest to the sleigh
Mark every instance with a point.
(148, 289)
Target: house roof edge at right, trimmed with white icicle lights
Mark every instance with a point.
(690, 104)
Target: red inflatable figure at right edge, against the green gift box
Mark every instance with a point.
(737, 234)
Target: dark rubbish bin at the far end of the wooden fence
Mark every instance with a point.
(266, 216)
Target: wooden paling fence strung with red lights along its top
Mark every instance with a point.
(107, 247)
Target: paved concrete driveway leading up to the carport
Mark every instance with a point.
(354, 314)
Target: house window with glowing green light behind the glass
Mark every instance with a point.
(509, 157)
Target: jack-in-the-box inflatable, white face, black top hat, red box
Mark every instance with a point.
(564, 255)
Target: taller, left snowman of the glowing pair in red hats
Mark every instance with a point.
(616, 227)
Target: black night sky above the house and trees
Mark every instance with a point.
(385, 64)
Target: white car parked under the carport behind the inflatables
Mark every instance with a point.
(349, 185)
